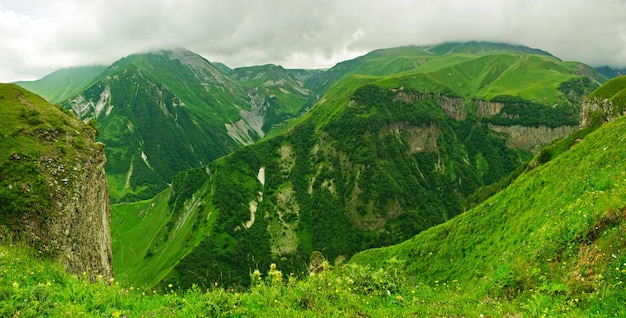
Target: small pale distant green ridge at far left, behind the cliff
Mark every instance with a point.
(63, 84)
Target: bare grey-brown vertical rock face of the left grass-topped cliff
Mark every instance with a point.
(80, 230)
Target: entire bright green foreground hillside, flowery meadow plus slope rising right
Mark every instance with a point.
(550, 244)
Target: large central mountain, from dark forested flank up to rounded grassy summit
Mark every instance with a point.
(377, 160)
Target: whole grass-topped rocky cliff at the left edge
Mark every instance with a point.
(53, 190)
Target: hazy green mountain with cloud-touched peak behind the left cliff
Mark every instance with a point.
(164, 112)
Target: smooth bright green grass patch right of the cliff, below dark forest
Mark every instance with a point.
(144, 248)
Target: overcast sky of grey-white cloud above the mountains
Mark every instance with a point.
(40, 36)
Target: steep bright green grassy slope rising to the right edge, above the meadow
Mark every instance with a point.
(555, 235)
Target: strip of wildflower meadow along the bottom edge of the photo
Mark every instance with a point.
(30, 287)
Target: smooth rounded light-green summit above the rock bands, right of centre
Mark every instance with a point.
(446, 59)
